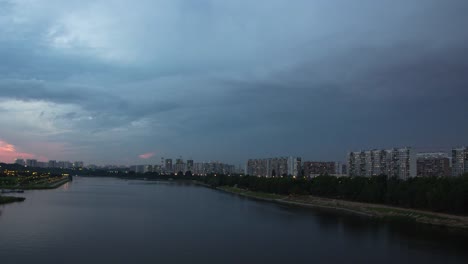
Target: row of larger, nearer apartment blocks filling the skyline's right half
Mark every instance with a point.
(403, 163)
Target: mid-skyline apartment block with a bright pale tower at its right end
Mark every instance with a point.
(274, 167)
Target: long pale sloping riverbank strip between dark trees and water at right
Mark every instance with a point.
(363, 209)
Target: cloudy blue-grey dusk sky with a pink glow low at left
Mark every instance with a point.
(128, 82)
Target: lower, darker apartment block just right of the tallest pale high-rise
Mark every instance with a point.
(433, 165)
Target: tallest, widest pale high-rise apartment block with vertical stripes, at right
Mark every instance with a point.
(397, 162)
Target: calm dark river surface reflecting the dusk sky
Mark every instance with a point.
(100, 220)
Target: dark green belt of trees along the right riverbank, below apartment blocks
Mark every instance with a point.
(447, 194)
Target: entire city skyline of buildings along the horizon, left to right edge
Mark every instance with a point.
(403, 163)
